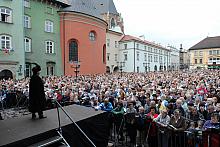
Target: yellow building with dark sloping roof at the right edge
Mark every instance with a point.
(206, 54)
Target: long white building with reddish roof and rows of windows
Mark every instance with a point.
(141, 56)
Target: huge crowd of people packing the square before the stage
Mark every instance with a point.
(183, 100)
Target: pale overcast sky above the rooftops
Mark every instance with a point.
(171, 22)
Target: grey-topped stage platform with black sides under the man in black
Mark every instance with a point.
(15, 131)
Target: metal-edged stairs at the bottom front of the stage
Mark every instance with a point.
(50, 142)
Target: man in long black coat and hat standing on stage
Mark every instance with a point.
(37, 100)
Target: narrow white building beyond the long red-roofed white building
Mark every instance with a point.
(175, 58)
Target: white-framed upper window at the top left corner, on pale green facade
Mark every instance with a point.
(6, 15)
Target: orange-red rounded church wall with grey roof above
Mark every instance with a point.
(83, 38)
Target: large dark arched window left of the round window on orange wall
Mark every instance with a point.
(73, 51)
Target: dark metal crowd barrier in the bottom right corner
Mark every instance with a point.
(168, 137)
